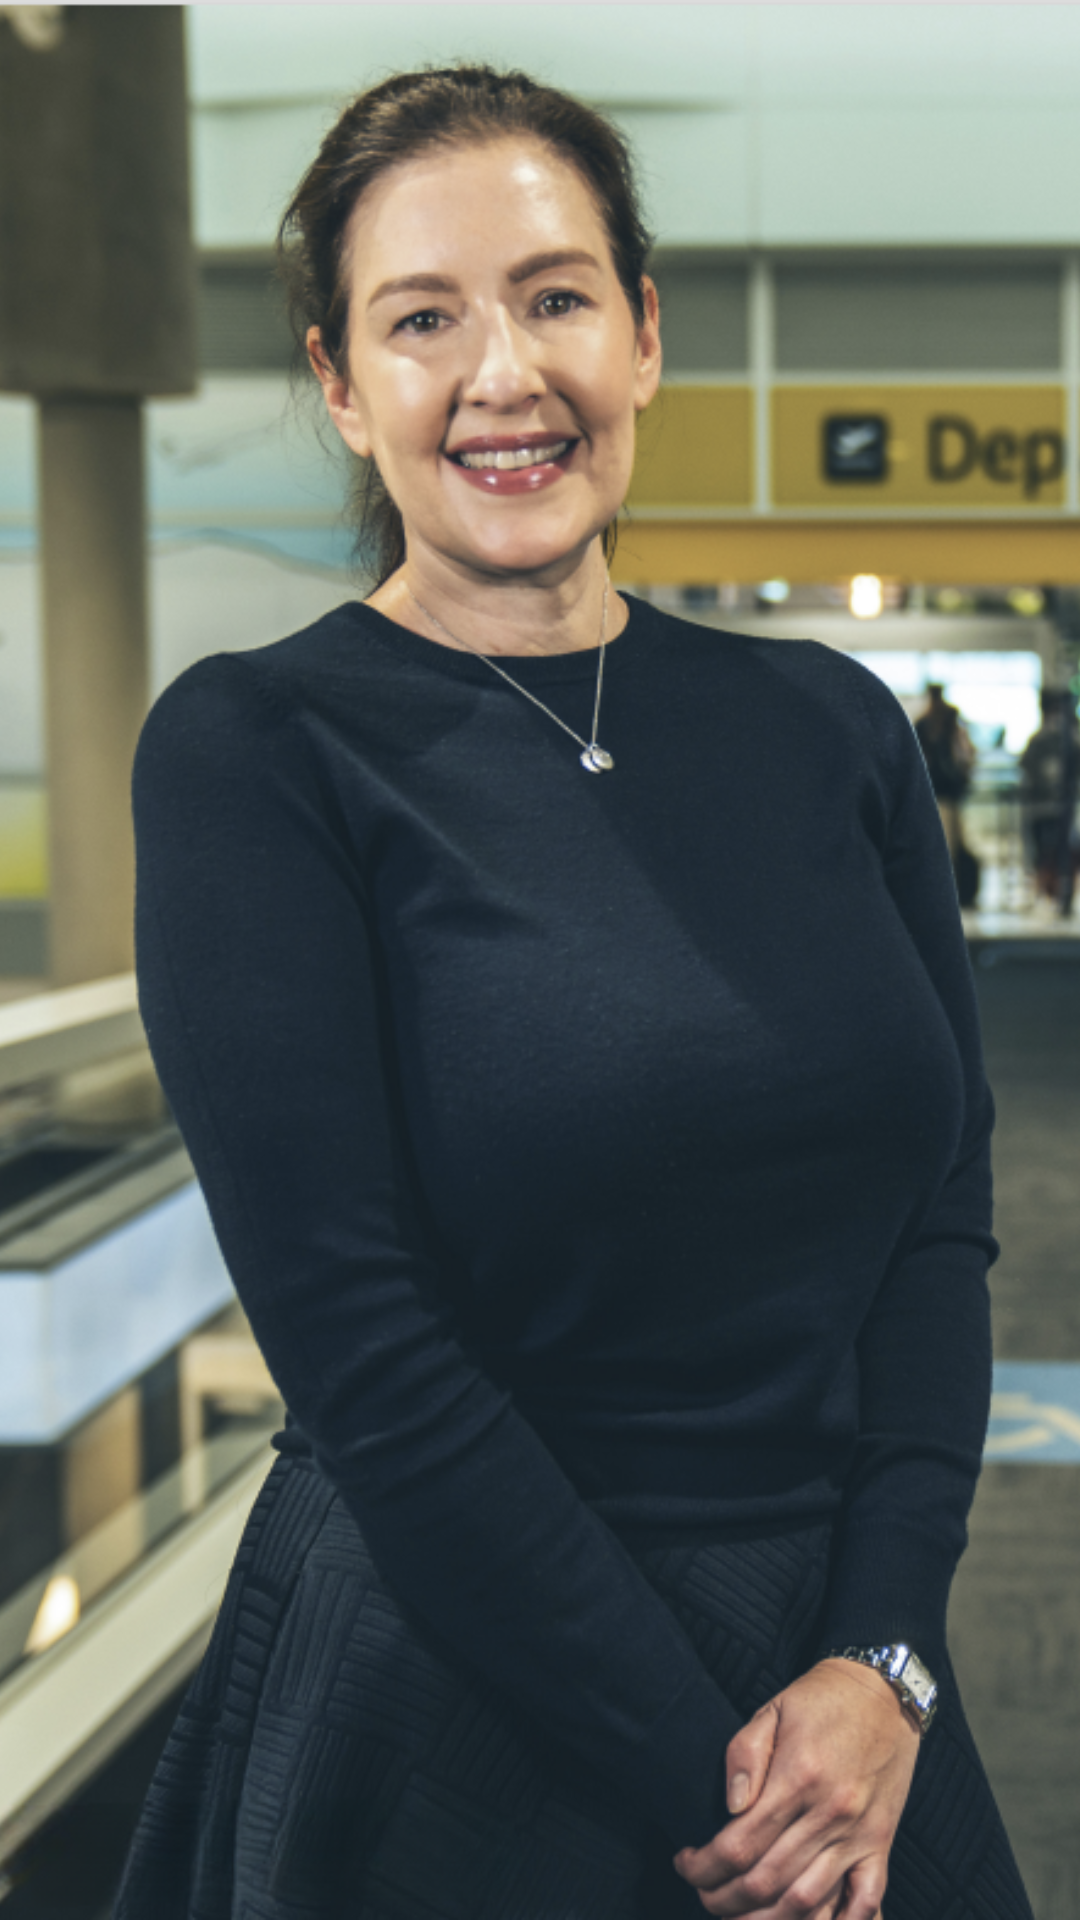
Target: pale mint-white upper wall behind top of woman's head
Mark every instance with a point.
(756, 126)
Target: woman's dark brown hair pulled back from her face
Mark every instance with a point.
(395, 122)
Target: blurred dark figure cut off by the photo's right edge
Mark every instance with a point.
(1050, 784)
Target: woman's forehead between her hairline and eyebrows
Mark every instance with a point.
(489, 203)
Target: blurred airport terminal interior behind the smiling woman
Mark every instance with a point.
(868, 254)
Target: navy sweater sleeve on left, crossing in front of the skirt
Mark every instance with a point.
(262, 994)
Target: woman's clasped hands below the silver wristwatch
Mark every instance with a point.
(818, 1783)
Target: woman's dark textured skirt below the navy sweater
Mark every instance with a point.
(333, 1764)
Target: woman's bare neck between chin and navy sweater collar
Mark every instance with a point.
(506, 617)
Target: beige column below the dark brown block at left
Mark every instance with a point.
(97, 675)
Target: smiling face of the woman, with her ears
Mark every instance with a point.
(495, 366)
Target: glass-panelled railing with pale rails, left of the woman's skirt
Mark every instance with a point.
(128, 1364)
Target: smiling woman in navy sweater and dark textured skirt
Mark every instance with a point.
(616, 1228)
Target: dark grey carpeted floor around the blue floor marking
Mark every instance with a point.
(1016, 1618)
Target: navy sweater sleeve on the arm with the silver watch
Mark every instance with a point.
(925, 1356)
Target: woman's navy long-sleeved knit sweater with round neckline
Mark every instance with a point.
(593, 1153)
